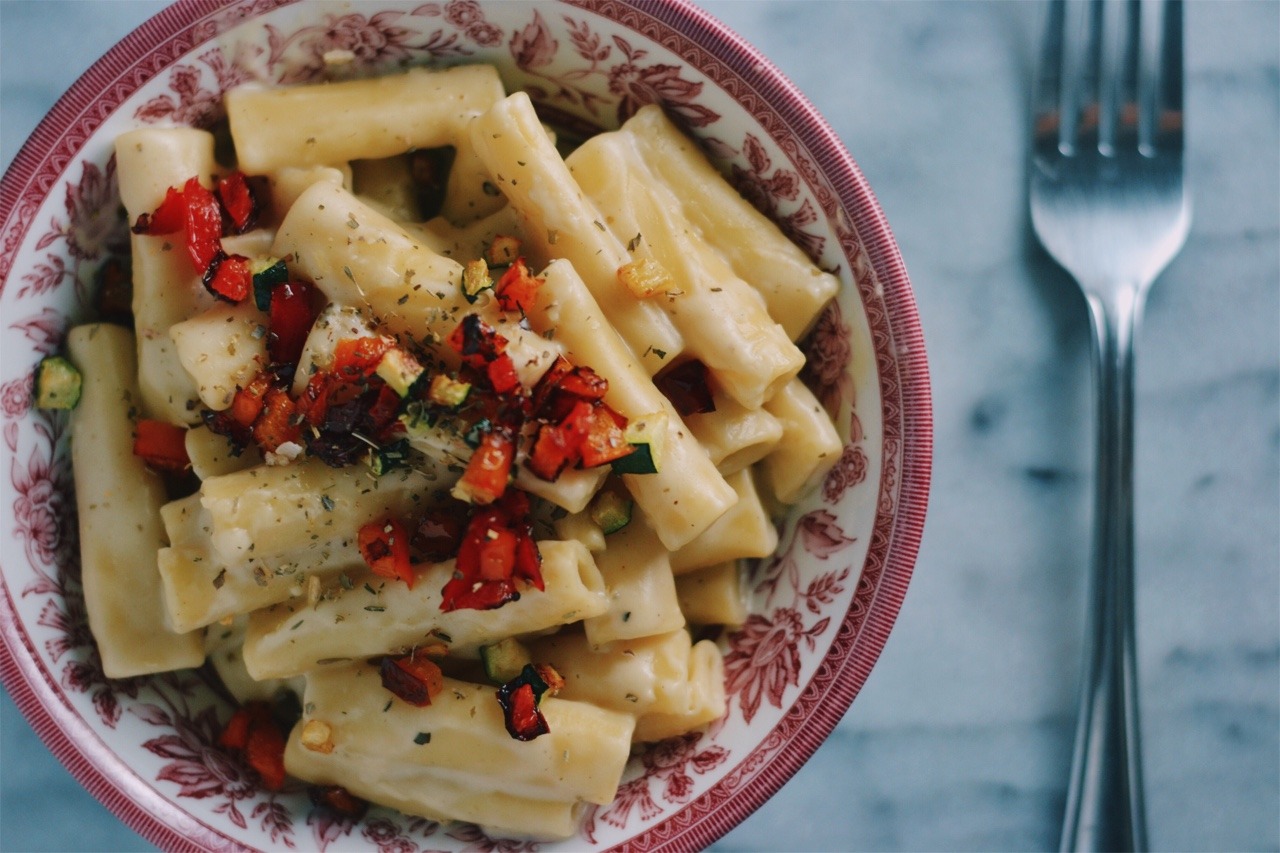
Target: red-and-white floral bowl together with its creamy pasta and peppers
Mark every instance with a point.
(447, 426)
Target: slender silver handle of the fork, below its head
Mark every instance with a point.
(1105, 801)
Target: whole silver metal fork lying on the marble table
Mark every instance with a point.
(1109, 204)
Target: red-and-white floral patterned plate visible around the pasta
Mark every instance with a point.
(822, 608)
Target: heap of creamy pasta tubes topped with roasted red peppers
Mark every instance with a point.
(458, 439)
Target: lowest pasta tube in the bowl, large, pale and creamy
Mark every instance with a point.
(454, 759)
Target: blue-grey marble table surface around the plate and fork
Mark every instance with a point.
(962, 737)
